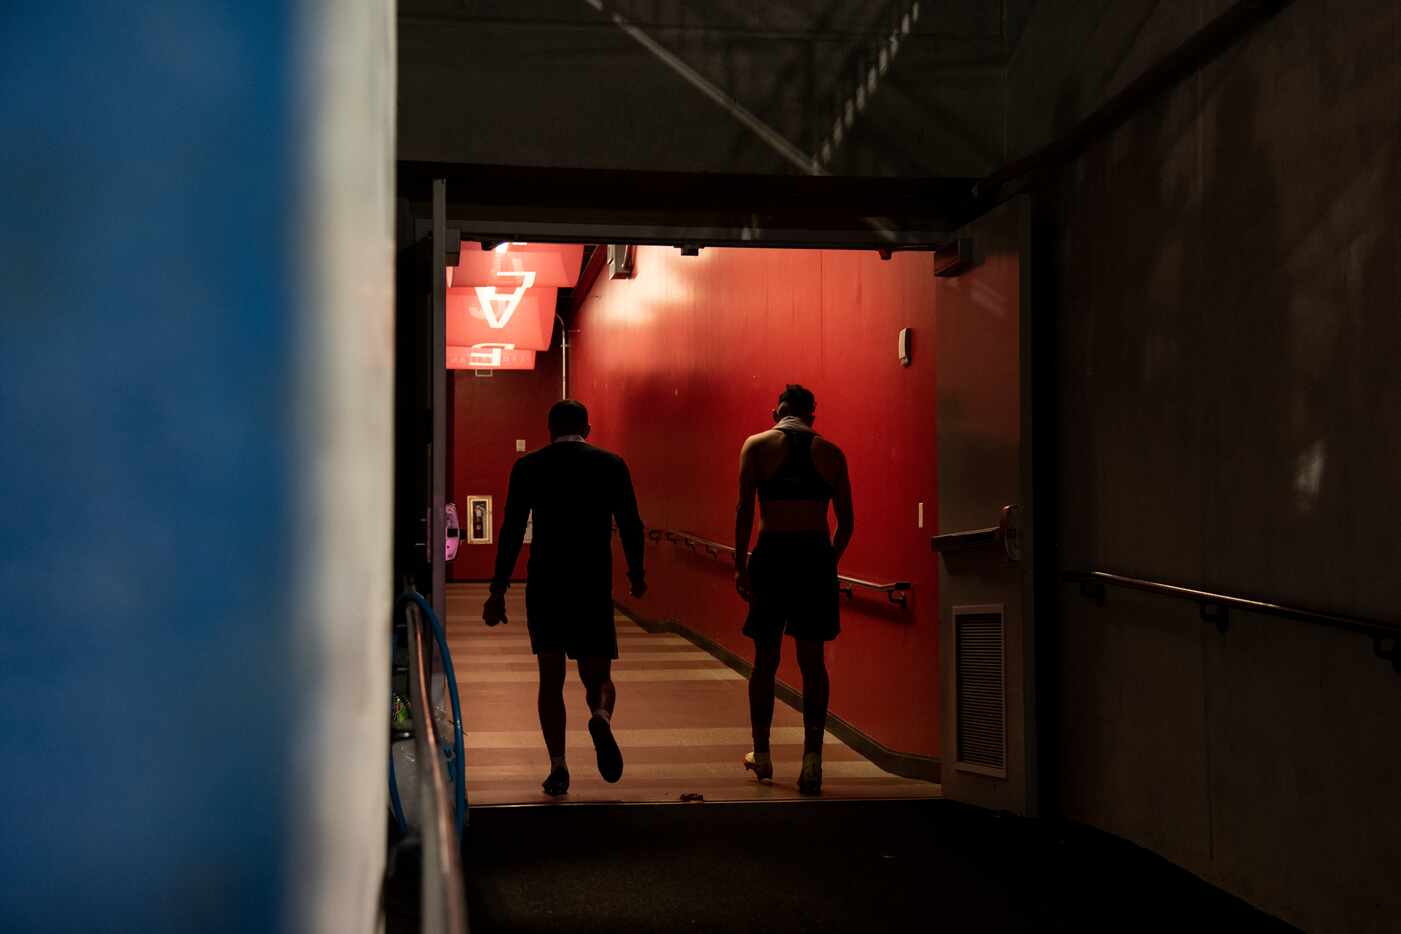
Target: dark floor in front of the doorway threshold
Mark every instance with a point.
(822, 866)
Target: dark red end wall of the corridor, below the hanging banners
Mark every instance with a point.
(488, 415)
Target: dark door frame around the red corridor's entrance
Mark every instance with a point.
(883, 215)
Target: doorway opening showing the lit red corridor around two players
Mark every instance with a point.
(679, 344)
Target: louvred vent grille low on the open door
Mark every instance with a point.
(980, 691)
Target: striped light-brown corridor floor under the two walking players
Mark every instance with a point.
(683, 722)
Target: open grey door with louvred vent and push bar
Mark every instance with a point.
(984, 515)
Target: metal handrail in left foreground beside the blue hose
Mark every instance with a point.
(443, 902)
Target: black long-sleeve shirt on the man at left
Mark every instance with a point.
(575, 491)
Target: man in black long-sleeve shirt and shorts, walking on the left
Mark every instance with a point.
(575, 492)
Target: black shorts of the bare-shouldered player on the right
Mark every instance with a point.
(794, 587)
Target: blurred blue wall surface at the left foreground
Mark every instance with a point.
(145, 356)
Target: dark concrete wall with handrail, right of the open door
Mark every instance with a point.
(1225, 282)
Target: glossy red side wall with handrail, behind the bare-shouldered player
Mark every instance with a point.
(680, 365)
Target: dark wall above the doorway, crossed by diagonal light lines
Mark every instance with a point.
(560, 83)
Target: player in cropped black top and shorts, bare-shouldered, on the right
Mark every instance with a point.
(791, 580)
